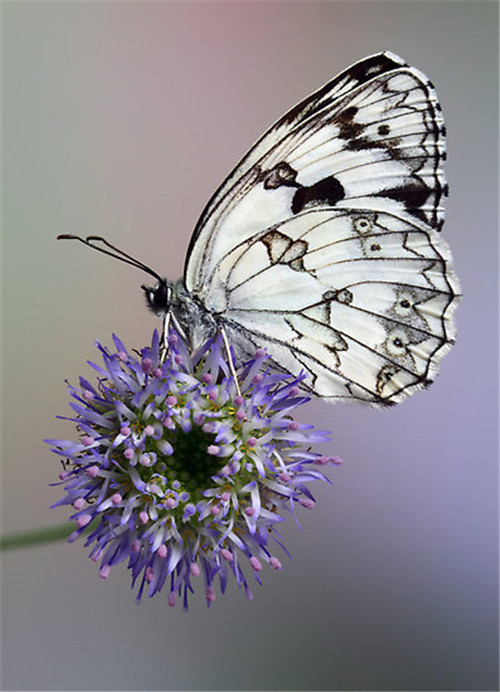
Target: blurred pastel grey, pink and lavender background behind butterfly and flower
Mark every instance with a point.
(121, 119)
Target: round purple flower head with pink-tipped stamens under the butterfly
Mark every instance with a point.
(182, 472)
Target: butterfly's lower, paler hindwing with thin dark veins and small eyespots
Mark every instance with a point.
(360, 300)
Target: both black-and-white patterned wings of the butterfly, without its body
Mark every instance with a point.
(323, 243)
